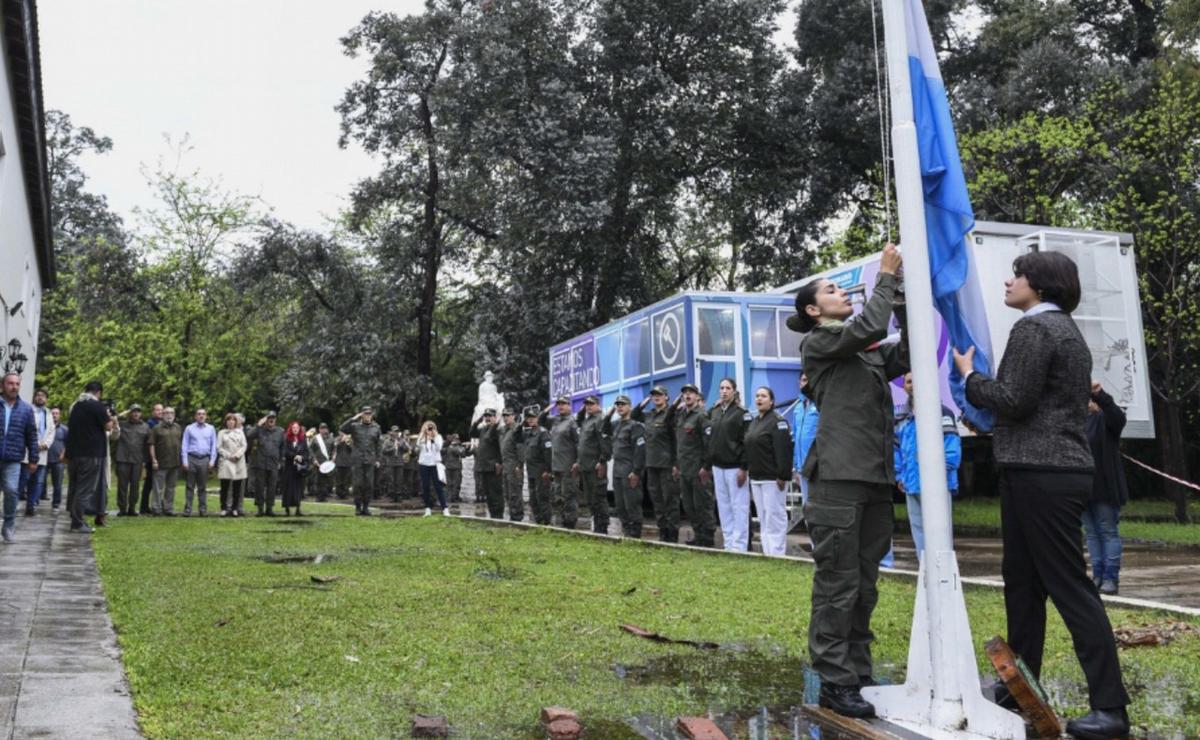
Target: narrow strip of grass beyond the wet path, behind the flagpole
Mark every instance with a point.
(981, 516)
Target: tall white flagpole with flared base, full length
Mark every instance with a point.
(941, 695)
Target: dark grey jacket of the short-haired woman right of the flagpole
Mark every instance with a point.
(1040, 396)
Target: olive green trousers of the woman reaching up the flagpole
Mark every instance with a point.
(850, 524)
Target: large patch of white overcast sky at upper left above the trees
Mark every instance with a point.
(253, 83)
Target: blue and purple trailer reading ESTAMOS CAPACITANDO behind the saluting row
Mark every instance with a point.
(693, 338)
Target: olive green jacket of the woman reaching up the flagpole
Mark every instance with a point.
(849, 374)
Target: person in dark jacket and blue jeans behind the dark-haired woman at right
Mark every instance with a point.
(1106, 420)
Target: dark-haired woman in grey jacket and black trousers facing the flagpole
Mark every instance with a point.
(1040, 398)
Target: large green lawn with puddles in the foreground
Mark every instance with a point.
(489, 624)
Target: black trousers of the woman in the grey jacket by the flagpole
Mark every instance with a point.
(1041, 516)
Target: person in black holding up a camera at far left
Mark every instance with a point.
(91, 420)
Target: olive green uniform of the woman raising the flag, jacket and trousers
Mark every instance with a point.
(851, 476)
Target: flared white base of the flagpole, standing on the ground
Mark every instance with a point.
(955, 707)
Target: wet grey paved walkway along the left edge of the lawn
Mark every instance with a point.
(61, 669)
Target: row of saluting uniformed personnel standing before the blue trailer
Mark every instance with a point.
(676, 447)
